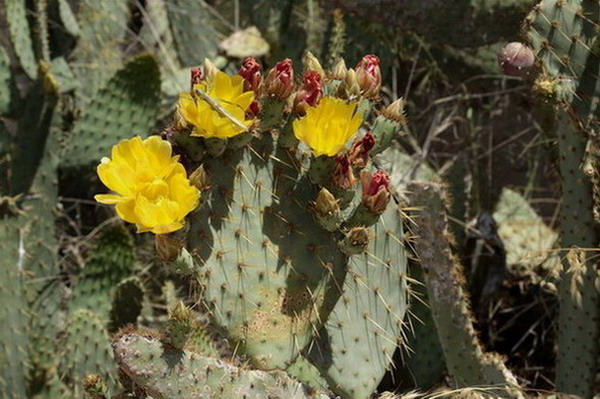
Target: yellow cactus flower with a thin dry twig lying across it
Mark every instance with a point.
(228, 92)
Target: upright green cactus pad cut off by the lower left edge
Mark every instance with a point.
(13, 317)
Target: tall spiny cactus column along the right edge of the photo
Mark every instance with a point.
(564, 34)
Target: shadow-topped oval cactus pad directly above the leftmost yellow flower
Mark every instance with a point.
(125, 107)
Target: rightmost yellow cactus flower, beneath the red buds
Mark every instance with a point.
(327, 127)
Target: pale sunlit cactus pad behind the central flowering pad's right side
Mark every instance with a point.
(356, 346)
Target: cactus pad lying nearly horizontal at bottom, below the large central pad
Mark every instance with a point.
(167, 373)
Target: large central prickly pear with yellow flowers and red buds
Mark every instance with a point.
(295, 258)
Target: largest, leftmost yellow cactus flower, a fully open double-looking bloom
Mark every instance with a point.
(151, 186)
